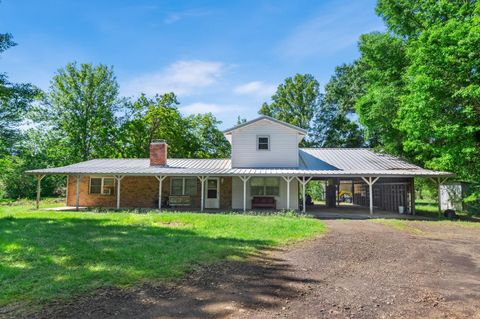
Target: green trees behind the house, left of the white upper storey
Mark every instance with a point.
(82, 117)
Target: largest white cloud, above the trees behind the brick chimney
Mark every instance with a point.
(181, 77)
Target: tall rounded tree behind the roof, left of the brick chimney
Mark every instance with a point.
(81, 107)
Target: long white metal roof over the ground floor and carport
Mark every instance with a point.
(313, 162)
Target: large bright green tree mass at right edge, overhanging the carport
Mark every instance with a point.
(421, 84)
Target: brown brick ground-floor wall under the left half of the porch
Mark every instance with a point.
(139, 191)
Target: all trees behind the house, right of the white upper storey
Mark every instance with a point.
(414, 91)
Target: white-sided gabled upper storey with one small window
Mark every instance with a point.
(265, 142)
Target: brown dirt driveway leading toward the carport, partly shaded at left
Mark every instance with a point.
(359, 269)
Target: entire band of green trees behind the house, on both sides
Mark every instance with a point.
(413, 92)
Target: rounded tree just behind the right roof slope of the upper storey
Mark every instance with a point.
(295, 101)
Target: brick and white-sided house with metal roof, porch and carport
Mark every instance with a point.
(267, 169)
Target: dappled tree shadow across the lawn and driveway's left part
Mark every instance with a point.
(45, 259)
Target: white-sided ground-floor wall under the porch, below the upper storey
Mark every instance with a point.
(237, 194)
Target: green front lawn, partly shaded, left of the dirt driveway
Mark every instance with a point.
(50, 255)
